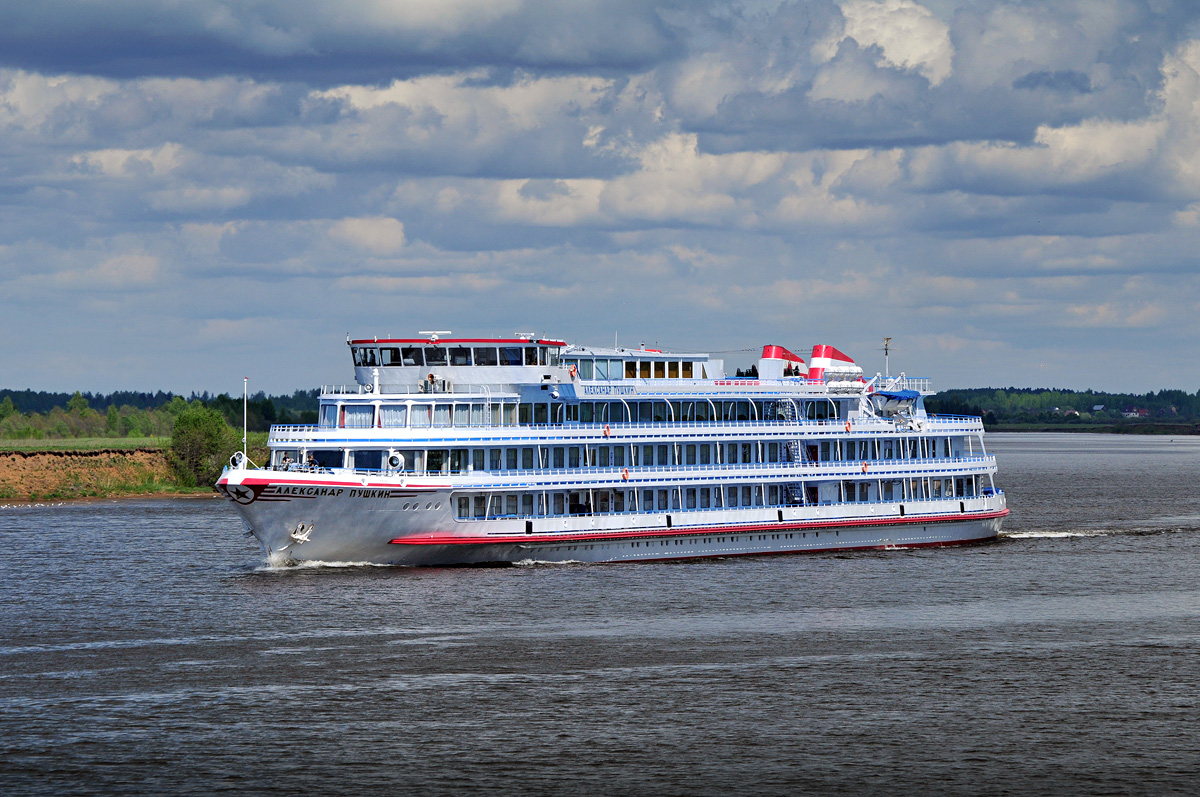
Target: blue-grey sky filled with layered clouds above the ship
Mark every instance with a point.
(193, 194)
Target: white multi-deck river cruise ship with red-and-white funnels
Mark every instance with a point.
(451, 451)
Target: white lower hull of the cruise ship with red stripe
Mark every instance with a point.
(379, 523)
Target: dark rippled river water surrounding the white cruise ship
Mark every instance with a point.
(146, 649)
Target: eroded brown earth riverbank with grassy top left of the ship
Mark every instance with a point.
(28, 476)
